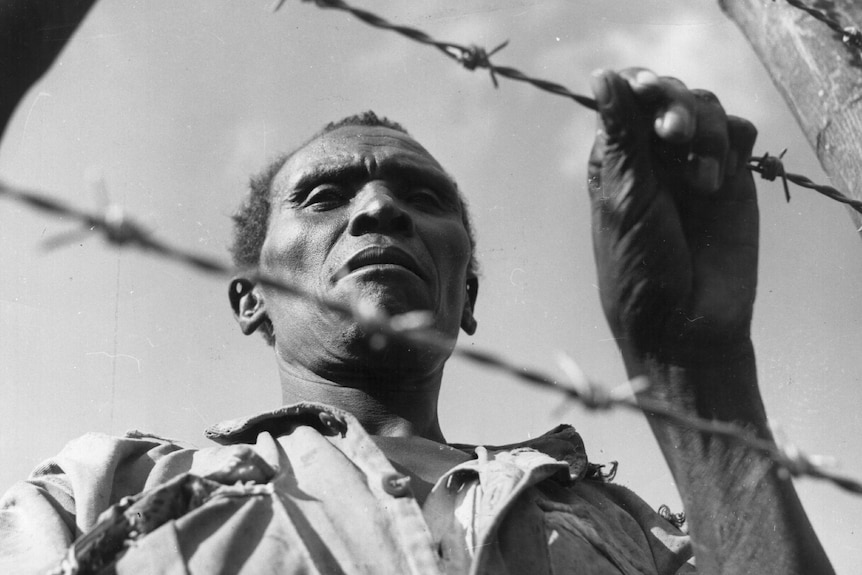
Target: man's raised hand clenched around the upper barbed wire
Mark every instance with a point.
(675, 224)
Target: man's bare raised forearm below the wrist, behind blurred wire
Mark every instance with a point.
(744, 516)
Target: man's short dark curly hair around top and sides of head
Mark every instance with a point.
(252, 217)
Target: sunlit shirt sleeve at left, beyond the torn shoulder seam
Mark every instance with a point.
(63, 497)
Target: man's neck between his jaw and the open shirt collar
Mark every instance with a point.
(382, 405)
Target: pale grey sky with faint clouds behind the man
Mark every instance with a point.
(167, 108)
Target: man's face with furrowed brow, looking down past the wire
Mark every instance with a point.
(364, 213)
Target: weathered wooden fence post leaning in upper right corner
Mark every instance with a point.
(819, 76)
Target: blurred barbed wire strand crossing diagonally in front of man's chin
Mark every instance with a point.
(414, 329)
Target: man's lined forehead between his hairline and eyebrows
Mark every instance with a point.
(373, 146)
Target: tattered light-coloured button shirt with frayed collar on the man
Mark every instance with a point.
(336, 504)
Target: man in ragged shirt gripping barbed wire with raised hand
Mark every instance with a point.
(354, 474)
